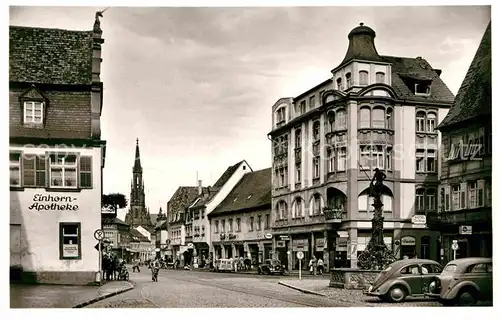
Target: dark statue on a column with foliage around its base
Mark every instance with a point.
(376, 255)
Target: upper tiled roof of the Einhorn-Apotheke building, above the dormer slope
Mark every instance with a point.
(50, 56)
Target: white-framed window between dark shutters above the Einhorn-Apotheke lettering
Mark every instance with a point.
(63, 171)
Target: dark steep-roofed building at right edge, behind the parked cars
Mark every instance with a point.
(465, 199)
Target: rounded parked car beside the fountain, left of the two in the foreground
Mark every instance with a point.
(403, 278)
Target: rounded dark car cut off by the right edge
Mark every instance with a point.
(464, 282)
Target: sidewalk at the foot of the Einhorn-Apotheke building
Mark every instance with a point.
(60, 296)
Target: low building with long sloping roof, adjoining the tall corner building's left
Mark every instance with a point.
(241, 223)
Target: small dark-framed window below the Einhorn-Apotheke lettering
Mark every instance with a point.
(69, 240)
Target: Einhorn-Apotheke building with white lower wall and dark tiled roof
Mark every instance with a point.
(56, 153)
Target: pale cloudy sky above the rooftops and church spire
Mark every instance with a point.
(196, 85)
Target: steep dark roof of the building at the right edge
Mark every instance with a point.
(473, 99)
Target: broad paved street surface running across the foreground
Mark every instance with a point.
(191, 289)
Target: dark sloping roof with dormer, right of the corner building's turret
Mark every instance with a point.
(417, 69)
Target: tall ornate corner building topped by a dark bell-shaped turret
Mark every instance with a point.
(373, 112)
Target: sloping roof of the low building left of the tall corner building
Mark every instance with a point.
(252, 191)
